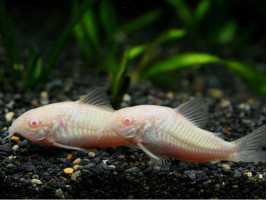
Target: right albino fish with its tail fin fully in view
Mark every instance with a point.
(165, 132)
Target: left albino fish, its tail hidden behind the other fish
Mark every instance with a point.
(74, 125)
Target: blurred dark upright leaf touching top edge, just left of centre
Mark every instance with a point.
(108, 18)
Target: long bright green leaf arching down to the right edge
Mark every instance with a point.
(254, 77)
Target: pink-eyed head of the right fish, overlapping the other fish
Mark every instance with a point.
(126, 124)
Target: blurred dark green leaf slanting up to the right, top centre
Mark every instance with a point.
(142, 21)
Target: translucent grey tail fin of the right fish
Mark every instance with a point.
(250, 146)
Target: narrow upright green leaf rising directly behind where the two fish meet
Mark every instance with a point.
(121, 82)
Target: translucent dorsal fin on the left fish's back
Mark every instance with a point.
(97, 97)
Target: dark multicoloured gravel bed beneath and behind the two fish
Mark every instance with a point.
(29, 170)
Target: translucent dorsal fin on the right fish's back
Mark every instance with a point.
(196, 111)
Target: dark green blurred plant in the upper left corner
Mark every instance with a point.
(39, 64)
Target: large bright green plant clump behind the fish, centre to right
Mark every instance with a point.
(99, 35)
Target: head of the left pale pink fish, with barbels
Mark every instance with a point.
(35, 125)
